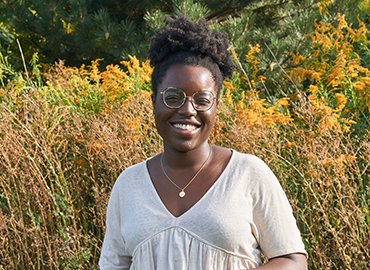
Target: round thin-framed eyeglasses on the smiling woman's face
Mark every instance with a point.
(174, 98)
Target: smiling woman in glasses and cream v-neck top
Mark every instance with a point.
(196, 206)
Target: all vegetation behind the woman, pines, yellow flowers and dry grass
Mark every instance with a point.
(75, 111)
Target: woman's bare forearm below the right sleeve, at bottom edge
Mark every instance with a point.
(294, 261)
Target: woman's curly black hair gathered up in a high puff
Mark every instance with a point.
(186, 42)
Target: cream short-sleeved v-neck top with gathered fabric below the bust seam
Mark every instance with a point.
(244, 213)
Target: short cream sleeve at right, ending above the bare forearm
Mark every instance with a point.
(277, 231)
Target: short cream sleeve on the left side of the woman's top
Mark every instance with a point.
(113, 255)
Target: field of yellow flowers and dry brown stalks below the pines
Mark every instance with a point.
(67, 133)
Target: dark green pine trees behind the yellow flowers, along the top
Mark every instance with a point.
(79, 31)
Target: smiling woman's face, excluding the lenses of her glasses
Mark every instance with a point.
(185, 128)
